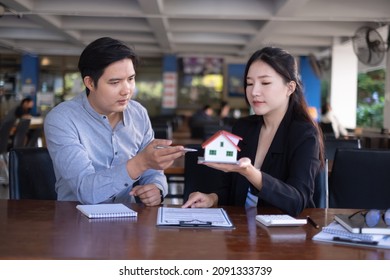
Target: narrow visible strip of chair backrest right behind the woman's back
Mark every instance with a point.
(321, 191)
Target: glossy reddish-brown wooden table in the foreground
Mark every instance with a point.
(57, 230)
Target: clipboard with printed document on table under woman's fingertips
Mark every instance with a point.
(214, 218)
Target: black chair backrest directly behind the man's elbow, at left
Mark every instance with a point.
(31, 174)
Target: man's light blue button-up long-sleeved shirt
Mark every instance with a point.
(90, 157)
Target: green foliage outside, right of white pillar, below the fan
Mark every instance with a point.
(370, 100)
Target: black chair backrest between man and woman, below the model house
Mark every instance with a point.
(198, 177)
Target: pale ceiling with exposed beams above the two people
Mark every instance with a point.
(186, 27)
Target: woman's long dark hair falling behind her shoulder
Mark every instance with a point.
(285, 64)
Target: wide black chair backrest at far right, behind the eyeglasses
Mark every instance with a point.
(360, 179)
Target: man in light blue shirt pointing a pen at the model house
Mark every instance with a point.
(101, 142)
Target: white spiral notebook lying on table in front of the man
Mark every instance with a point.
(117, 210)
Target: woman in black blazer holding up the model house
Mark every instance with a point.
(282, 149)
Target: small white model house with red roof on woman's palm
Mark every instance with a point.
(221, 147)
